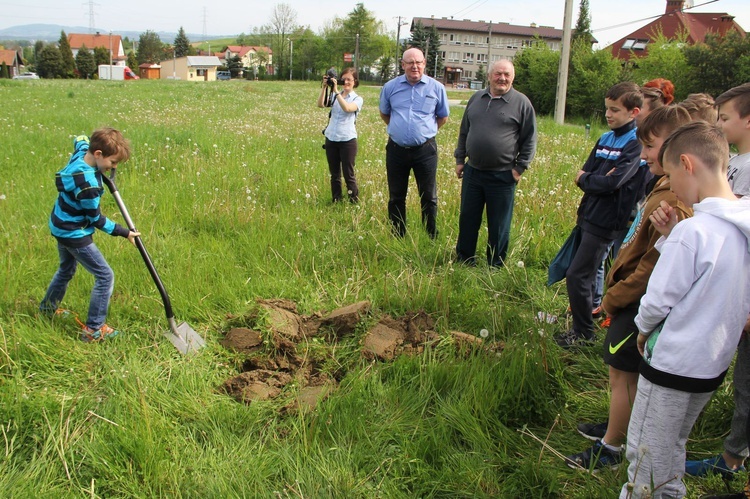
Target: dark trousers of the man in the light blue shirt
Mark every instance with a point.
(399, 161)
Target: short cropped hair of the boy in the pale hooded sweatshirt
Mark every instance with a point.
(701, 139)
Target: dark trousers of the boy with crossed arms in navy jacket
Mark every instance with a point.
(580, 280)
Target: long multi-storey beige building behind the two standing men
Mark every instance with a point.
(465, 45)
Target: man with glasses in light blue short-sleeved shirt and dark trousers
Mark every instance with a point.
(414, 106)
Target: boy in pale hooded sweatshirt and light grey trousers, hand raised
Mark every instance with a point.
(691, 317)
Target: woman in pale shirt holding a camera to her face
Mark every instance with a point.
(341, 134)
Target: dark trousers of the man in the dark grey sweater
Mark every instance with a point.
(496, 191)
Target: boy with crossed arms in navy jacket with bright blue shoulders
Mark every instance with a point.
(613, 181)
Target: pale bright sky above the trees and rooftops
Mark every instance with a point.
(231, 17)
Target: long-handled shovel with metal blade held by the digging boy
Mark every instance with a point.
(183, 337)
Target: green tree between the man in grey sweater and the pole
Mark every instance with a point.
(536, 76)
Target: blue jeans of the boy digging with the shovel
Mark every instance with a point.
(104, 282)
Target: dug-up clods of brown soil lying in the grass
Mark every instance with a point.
(285, 347)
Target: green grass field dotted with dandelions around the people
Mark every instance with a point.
(229, 187)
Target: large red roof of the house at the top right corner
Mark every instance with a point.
(674, 23)
